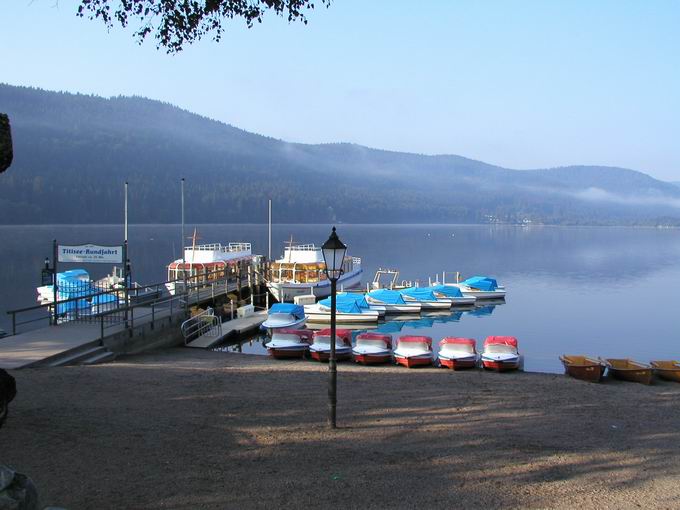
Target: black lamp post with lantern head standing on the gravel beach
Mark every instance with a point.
(333, 255)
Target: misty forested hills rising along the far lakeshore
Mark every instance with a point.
(72, 154)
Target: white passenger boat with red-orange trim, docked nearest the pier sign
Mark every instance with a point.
(205, 263)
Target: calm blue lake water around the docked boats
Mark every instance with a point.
(601, 291)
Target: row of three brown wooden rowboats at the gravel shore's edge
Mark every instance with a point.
(593, 370)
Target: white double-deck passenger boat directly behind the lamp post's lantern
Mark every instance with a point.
(301, 272)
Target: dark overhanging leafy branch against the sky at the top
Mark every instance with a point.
(175, 23)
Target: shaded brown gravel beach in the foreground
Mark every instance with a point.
(183, 428)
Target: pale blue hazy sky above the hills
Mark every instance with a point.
(522, 84)
